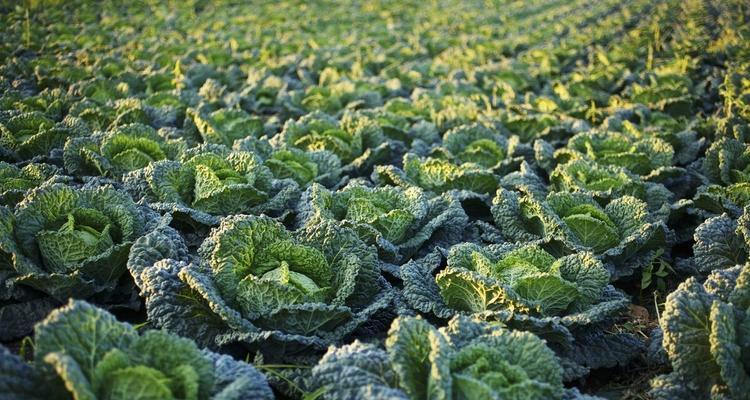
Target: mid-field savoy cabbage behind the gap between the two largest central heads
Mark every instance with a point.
(401, 222)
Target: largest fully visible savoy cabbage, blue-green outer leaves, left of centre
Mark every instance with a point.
(259, 284)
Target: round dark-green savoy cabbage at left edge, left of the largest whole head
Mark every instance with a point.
(70, 242)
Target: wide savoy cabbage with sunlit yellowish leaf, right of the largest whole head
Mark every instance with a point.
(515, 277)
